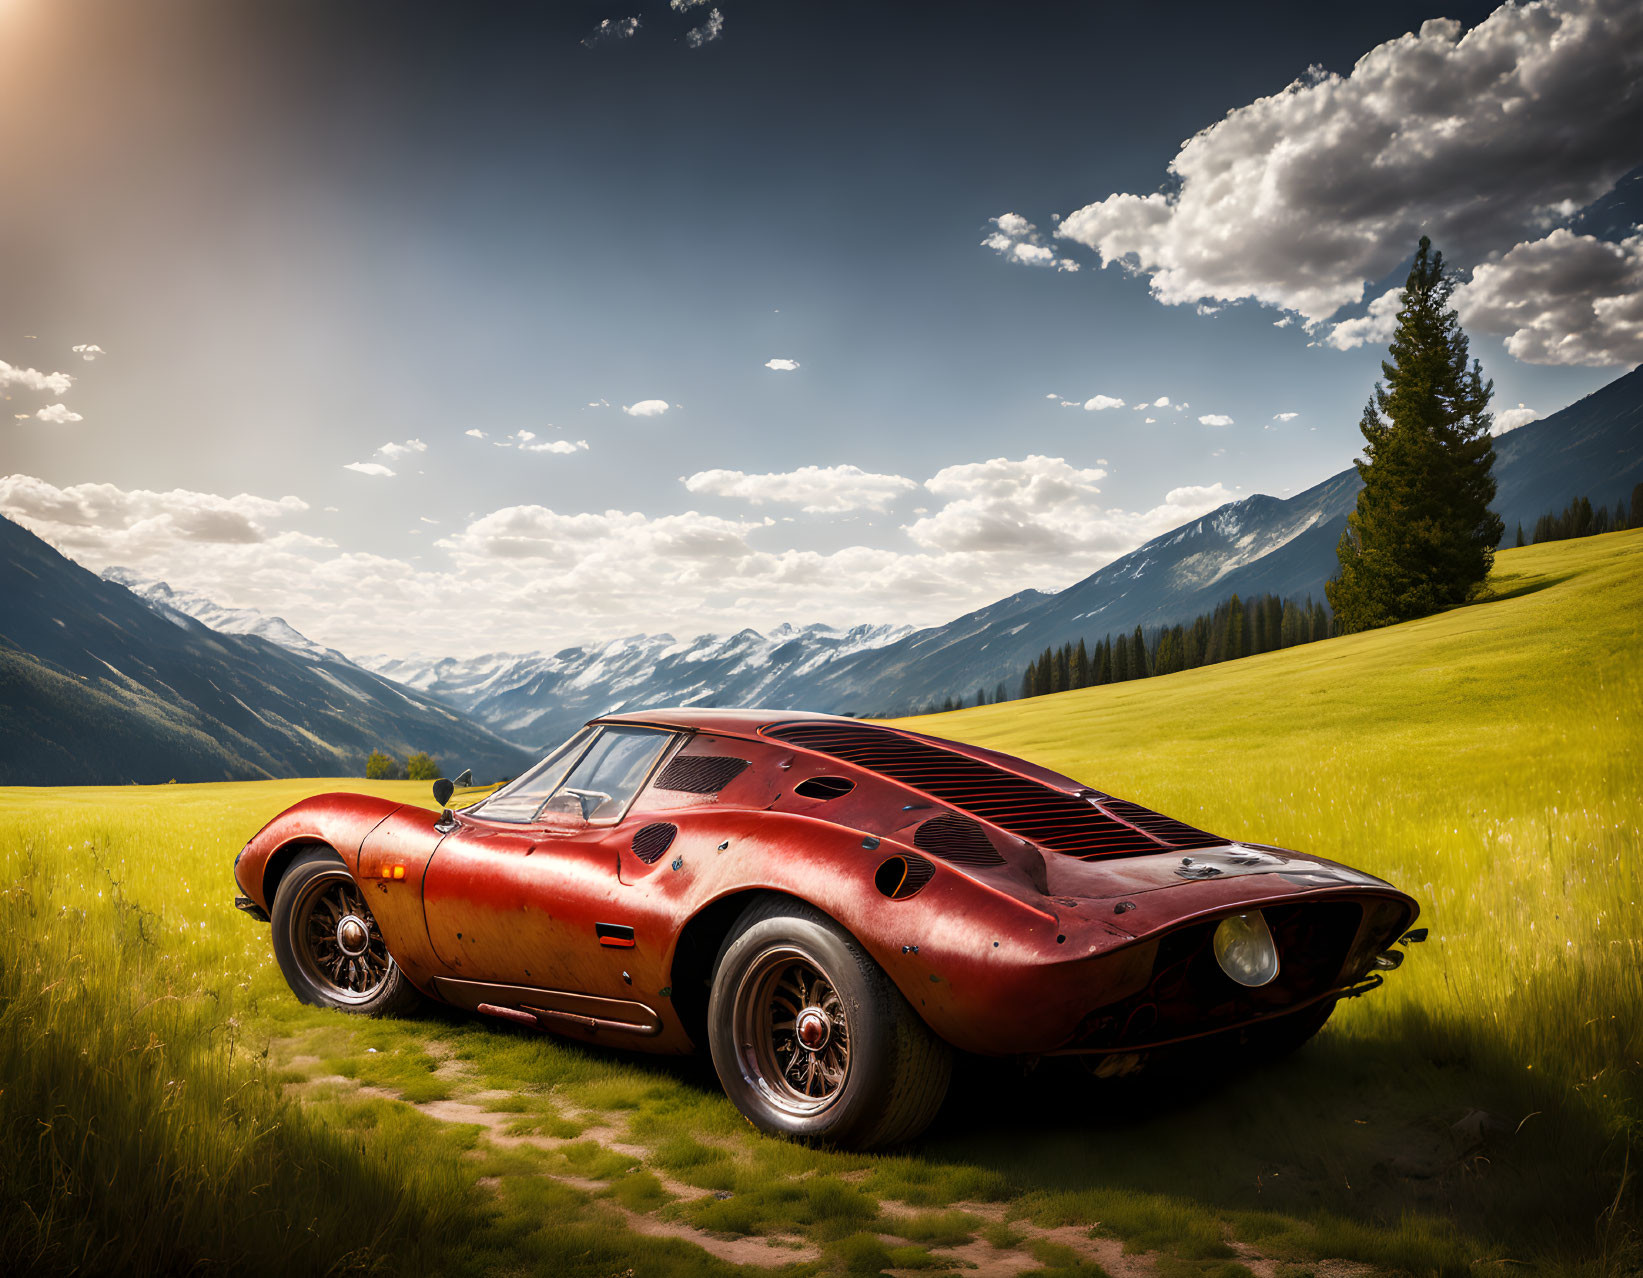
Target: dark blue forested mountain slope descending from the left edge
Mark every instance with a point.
(103, 687)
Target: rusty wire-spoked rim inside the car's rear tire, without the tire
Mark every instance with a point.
(791, 1031)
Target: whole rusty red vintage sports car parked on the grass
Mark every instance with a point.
(832, 908)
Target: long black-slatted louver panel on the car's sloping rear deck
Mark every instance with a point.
(1036, 812)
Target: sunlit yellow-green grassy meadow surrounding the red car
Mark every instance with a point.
(167, 1106)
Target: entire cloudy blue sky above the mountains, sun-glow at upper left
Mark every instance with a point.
(321, 242)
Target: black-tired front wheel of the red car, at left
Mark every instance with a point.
(318, 896)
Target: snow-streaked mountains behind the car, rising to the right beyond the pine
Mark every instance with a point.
(1281, 546)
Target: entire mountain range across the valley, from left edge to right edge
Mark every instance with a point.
(124, 679)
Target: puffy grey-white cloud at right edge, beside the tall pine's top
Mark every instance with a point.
(1562, 300)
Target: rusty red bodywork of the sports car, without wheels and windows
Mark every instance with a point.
(1001, 944)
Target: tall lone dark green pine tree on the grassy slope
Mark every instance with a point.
(1422, 536)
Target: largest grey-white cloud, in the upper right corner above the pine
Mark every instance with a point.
(1304, 198)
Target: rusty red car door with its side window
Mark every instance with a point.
(527, 891)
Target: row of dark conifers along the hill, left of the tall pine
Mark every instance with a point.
(1236, 628)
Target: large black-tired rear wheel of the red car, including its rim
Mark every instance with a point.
(877, 1075)
